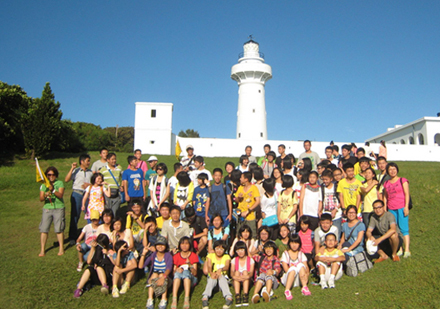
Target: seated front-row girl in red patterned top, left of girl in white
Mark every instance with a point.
(267, 269)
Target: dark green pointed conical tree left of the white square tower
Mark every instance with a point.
(41, 125)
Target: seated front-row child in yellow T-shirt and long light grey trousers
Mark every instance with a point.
(218, 266)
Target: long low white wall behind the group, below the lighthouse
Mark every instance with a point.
(214, 147)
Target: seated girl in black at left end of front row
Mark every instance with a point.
(101, 267)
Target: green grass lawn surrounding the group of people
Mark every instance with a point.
(29, 281)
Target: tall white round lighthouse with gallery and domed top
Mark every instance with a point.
(251, 74)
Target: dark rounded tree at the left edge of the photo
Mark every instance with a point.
(14, 103)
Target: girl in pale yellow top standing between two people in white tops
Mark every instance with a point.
(287, 204)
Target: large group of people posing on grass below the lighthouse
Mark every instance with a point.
(262, 224)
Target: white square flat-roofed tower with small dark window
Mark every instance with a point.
(153, 127)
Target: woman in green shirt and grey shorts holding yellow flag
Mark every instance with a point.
(53, 209)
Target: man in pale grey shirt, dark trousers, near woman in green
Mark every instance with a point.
(80, 177)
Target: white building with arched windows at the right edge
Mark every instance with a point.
(423, 131)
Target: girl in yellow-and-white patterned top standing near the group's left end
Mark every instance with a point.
(95, 195)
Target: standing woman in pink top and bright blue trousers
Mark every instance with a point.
(396, 199)
